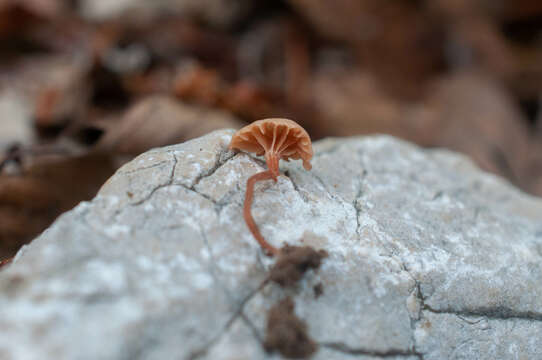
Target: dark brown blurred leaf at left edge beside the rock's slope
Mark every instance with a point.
(48, 187)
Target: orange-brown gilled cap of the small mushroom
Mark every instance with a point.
(283, 137)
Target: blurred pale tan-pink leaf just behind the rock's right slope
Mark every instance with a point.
(475, 115)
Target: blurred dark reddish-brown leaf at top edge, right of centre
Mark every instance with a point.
(398, 41)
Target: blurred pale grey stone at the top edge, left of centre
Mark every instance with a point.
(214, 12)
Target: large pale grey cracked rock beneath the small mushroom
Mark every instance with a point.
(428, 257)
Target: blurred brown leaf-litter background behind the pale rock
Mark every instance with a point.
(85, 85)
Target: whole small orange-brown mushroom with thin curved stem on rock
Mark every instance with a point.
(275, 139)
